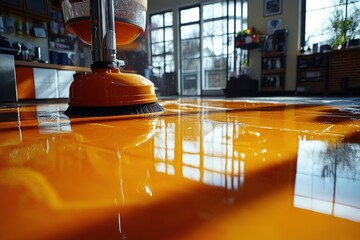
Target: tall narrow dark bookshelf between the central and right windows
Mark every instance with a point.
(273, 62)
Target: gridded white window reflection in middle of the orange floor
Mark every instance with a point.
(207, 157)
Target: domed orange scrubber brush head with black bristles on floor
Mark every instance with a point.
(108, 92)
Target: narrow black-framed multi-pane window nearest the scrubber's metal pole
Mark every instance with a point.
(162, 42)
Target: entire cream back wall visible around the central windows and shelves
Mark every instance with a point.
(290, 18)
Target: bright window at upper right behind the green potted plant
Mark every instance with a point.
(317, 14)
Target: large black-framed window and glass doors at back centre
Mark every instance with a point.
(208, 55)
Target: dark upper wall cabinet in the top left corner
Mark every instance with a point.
(39, 8)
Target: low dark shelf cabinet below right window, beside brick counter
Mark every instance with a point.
(312, 73)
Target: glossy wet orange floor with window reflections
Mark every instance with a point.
(203, 169)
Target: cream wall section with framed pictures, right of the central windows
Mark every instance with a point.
(290, 20)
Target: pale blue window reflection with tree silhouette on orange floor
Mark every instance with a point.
(328, 178)
